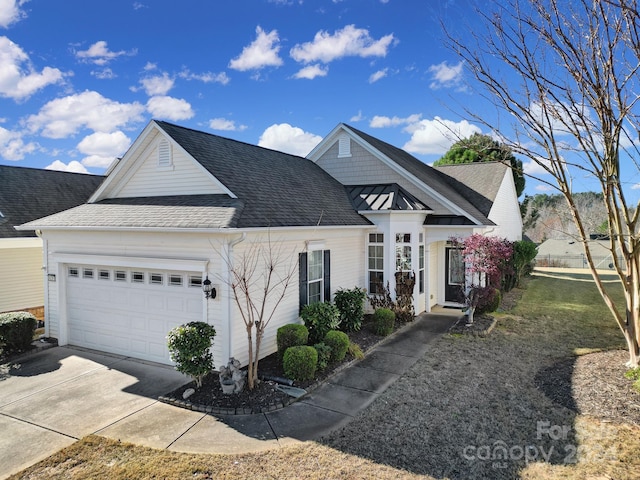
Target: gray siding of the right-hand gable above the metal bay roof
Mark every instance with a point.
(362, 168)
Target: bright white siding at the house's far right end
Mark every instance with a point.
(505, 212)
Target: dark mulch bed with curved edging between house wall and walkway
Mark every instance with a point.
(265, 396)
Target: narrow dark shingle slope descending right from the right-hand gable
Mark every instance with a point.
(435, 179)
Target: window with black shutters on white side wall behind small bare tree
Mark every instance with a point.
(314, 277)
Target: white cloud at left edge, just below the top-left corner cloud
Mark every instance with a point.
(18, 79)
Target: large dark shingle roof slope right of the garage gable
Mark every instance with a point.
(277, 189)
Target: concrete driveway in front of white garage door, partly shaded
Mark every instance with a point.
(55, 397)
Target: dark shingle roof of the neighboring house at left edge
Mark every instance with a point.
(27, 194)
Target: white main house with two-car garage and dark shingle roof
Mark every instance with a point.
(181, 205)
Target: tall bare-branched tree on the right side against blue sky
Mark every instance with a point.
(566, 73)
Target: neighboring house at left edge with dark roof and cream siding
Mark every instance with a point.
(27, 194)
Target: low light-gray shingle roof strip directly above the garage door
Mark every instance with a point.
(177, 211)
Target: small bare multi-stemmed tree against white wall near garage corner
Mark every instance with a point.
(259, 280)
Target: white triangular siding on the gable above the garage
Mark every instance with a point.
(184, 177)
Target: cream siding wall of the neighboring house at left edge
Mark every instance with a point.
(21, 275)
